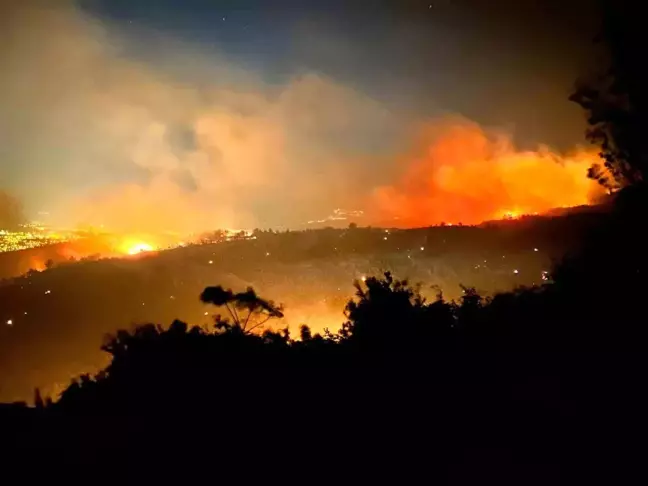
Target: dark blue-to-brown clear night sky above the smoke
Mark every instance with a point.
(500, 62)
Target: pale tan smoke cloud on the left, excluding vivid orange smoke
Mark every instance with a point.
(184, 141)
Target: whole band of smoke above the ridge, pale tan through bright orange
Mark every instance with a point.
(186, 140)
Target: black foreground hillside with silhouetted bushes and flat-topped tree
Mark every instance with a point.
(406, 391)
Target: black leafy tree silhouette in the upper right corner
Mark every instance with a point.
(616, 99)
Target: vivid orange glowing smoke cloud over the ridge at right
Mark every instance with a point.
(459, 173)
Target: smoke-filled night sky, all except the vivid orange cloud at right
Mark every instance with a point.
(91, 83)
